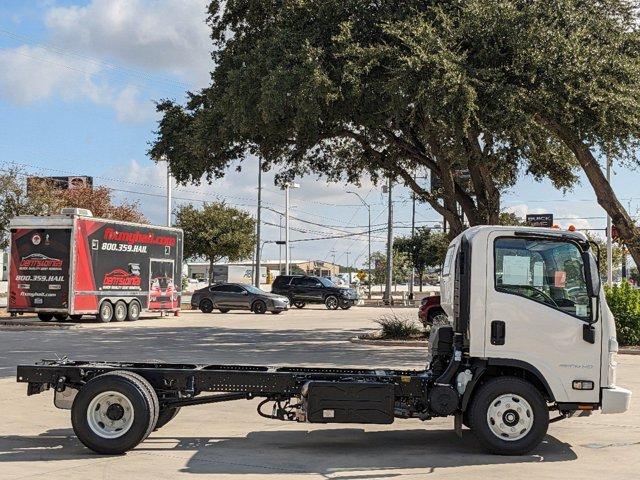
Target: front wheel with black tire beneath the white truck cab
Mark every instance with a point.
(490, 398)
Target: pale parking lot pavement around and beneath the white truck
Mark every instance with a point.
(230, 440)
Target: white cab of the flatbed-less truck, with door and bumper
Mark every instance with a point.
(528, 301)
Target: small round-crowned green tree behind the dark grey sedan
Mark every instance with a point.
(216, 232)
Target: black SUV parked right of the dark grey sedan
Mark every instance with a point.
(302, 289)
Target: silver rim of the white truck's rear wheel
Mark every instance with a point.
(110, 414)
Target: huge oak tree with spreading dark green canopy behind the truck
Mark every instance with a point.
(346, 88)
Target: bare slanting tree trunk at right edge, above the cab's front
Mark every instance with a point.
(627, 229)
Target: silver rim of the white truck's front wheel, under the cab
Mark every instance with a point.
(510, 417)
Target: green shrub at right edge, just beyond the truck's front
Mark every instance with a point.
(624, 302)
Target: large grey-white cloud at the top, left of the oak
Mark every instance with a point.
(162, 35)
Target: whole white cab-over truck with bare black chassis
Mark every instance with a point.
(530, 337)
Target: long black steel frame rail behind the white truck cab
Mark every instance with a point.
(193, 379)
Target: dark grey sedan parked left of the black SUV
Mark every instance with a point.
(237, 296)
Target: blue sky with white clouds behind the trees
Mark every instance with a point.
(77, 86)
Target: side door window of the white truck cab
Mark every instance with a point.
(545, 271)
